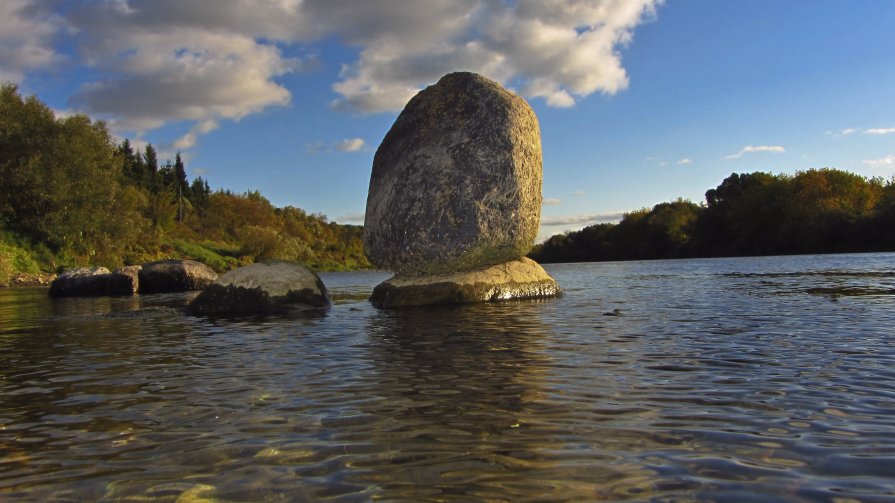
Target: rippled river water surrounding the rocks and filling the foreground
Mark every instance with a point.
(736, 379)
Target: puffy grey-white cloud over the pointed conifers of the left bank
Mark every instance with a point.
(193, 76)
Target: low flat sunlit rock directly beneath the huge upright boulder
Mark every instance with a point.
(518, 279)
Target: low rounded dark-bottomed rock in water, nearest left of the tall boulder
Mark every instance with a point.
(262, 288)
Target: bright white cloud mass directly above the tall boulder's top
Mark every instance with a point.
(558, 51)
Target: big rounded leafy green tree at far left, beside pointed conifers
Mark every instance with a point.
(60, 178)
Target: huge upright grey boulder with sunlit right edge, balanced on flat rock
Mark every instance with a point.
(456, 183)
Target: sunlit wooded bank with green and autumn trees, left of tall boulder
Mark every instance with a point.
(71, 195)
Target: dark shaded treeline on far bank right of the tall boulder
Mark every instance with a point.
(815, 211)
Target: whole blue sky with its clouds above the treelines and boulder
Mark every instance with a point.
(639, 101)
